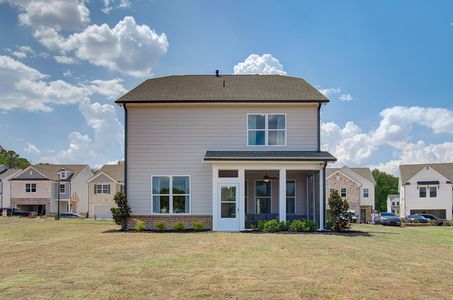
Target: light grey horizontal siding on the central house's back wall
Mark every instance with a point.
(173, 141)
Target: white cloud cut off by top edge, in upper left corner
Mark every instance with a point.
(58, 14)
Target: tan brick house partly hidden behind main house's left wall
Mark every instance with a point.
(102, 187)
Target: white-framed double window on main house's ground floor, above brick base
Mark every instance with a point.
(171, 194)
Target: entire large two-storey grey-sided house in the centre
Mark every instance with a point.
(226, 151)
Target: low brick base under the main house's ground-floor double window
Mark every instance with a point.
(170, 221)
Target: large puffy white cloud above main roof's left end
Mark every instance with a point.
(127, 47)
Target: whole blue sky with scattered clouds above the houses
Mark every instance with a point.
(385, 65)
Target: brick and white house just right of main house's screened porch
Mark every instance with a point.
(357, 186)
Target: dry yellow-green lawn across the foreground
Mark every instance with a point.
(86, 259)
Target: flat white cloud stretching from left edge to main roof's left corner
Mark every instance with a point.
(24, 87)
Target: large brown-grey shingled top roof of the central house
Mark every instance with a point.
(226, 88)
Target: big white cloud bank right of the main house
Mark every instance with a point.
(353, 147)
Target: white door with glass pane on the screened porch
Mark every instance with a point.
(228, 207)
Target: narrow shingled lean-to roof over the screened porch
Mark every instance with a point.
(269, 156)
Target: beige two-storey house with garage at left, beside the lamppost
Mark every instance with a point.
(36, 188)
